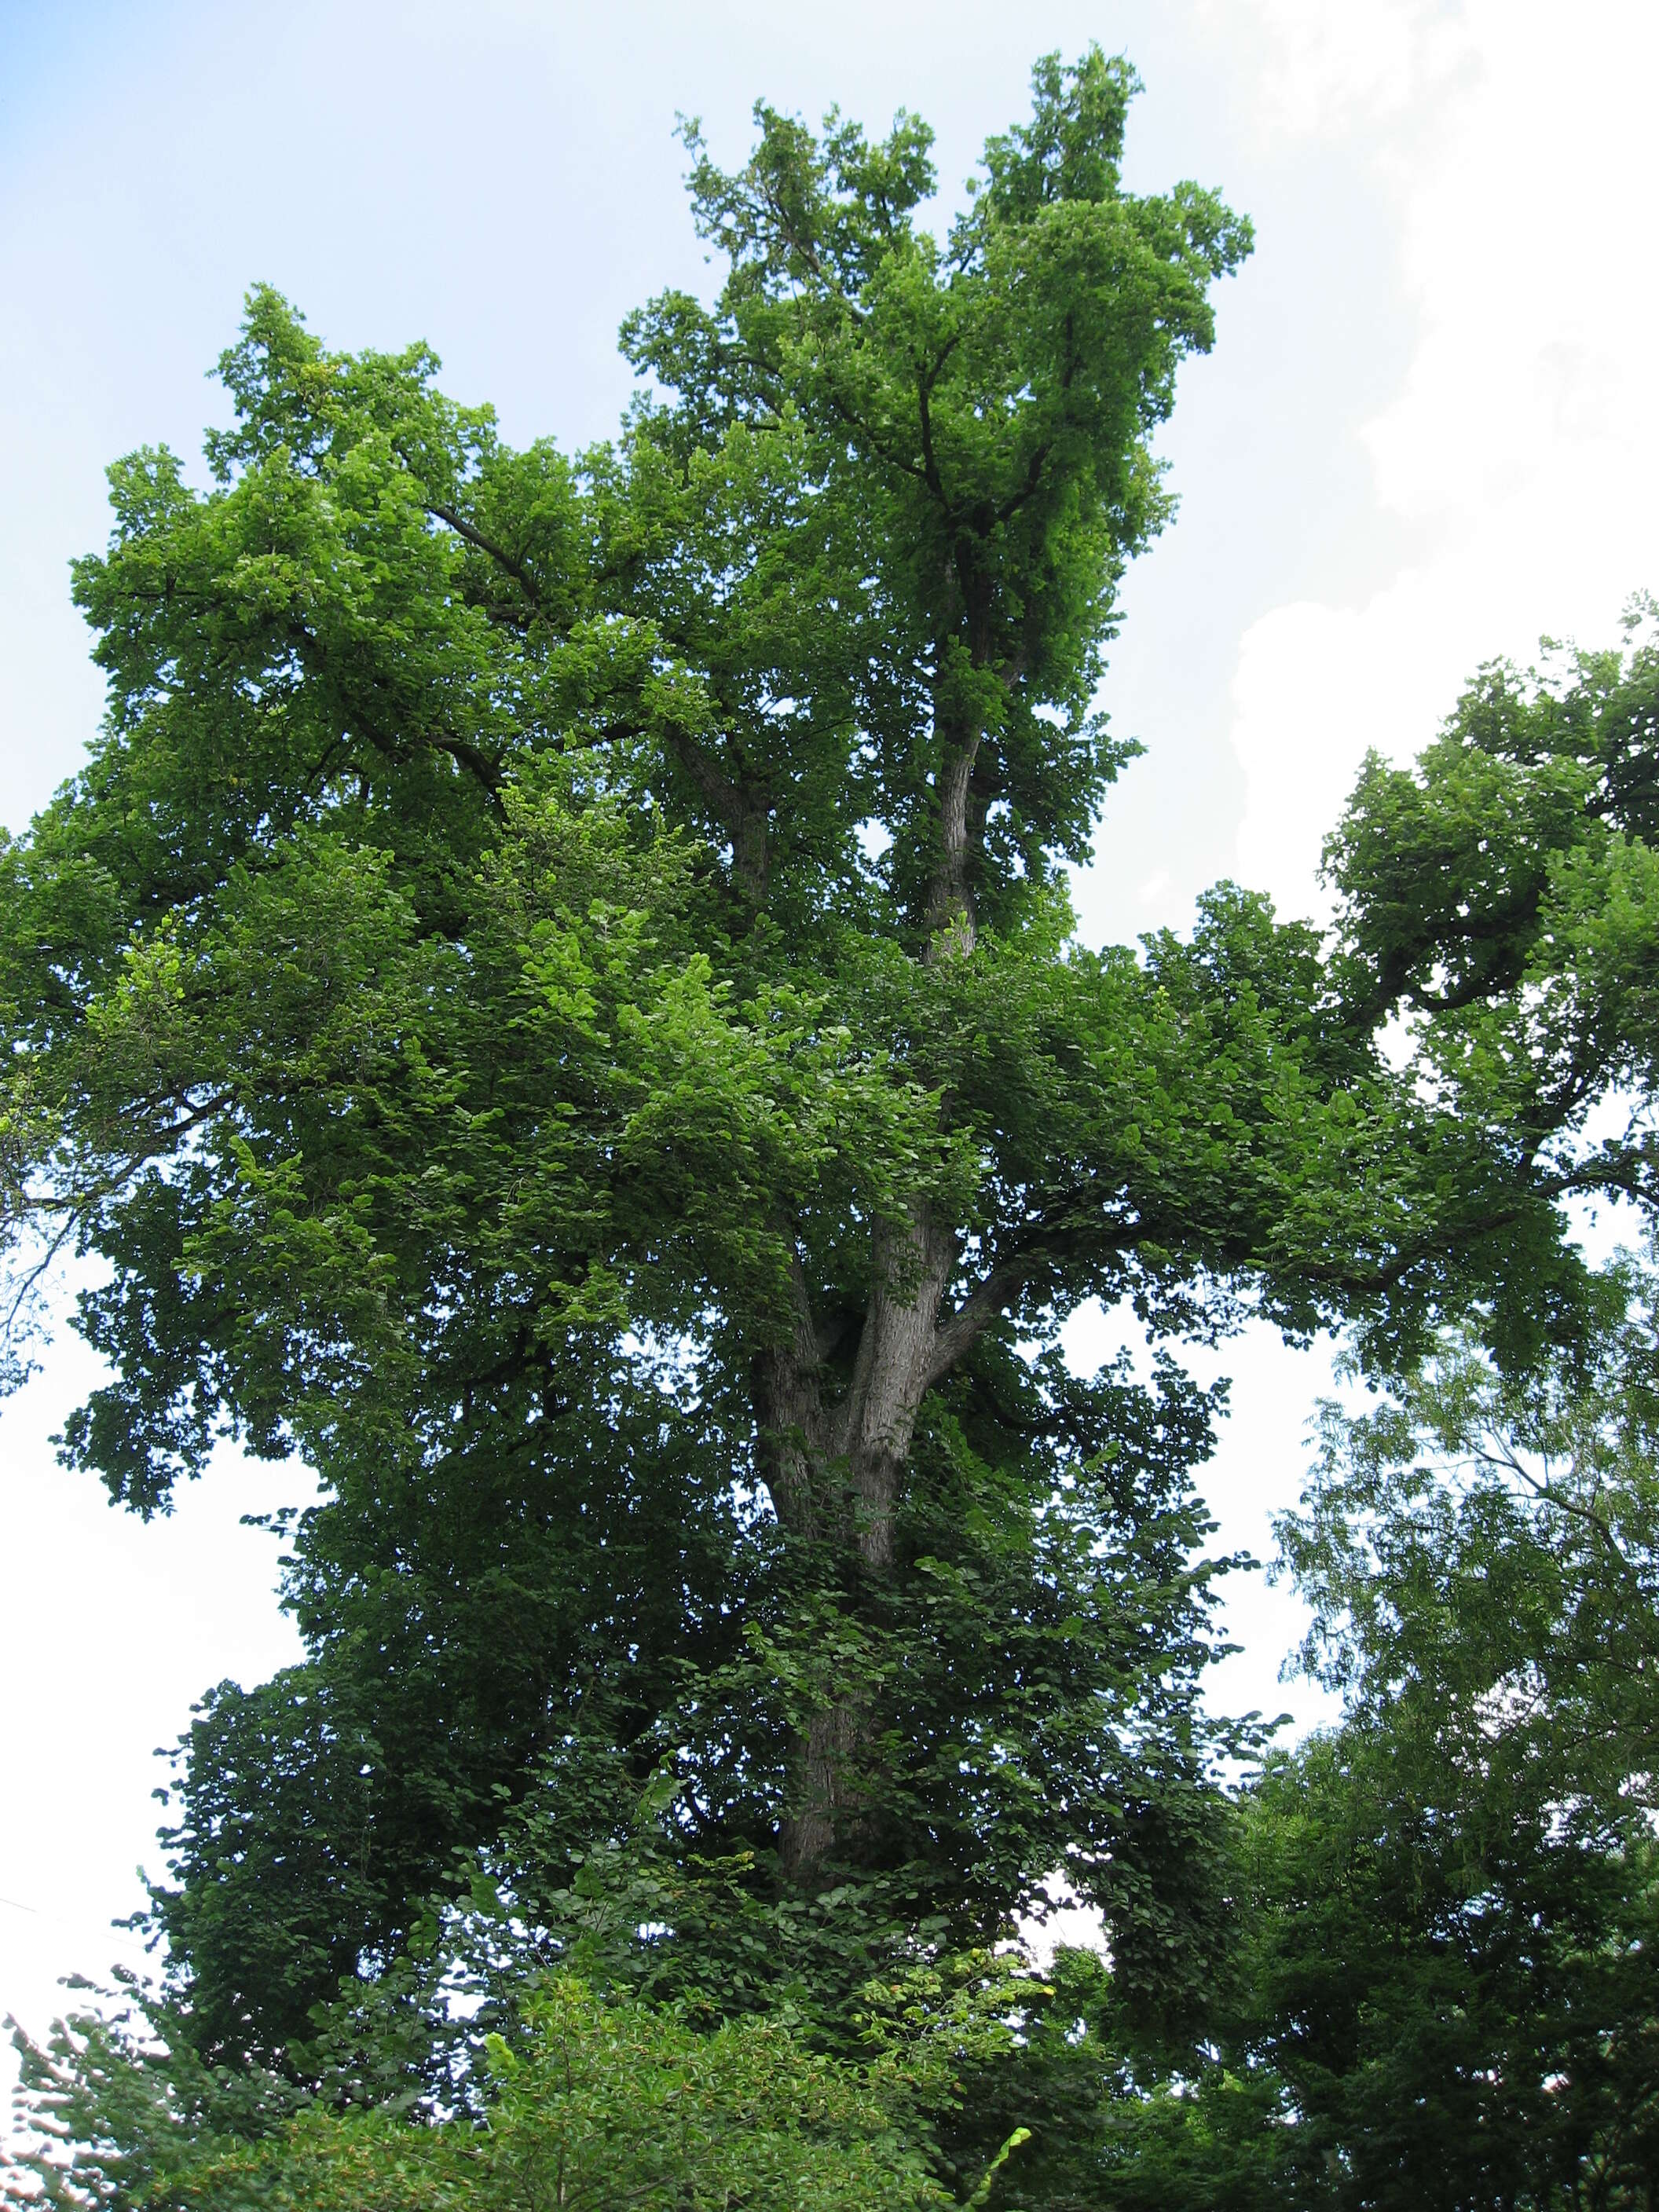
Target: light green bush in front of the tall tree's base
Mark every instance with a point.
(601, 2107)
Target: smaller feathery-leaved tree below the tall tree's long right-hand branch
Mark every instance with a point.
(1477, 1841)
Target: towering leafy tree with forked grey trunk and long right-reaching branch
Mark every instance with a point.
(554, 1001)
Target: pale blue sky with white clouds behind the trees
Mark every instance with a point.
(1423, 439)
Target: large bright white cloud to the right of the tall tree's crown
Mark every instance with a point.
(1521, 448)
